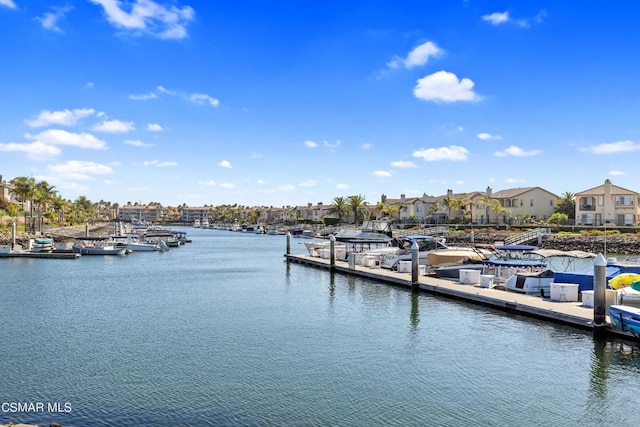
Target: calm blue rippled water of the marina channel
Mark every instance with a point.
(222, 332)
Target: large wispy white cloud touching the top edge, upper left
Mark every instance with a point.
(147, 16)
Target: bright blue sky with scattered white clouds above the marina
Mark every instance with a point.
(280, 103)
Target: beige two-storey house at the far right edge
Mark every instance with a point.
(607, 204)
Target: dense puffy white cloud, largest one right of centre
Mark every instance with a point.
(444, 86)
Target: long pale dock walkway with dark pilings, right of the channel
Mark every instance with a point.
(568, 313)
